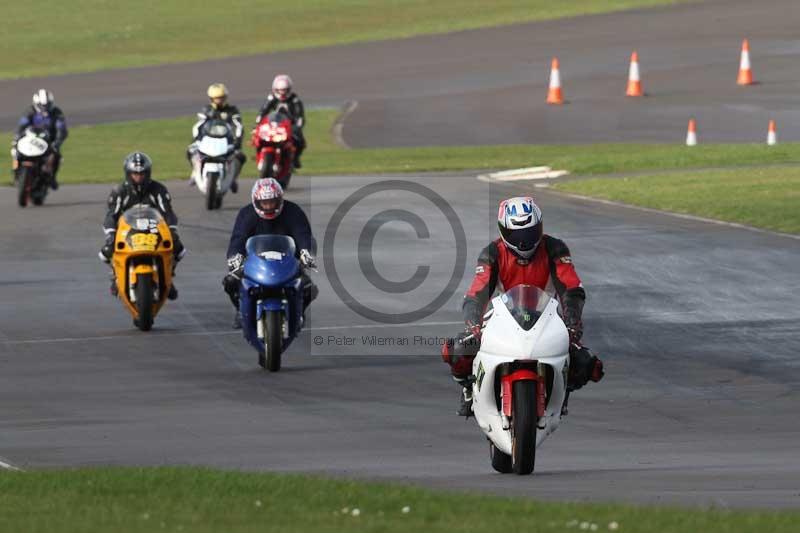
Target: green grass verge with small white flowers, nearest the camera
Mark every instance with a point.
(200, 500)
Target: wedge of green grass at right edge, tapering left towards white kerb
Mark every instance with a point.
(762, 197)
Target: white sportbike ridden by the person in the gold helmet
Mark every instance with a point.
(214, 163)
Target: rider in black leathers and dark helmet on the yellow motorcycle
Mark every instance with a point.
(139, 188)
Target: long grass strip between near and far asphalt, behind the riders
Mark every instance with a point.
(94, 154)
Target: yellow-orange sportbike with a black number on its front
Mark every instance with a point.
(143, 263)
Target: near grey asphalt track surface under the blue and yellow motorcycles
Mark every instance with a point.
(697, 322)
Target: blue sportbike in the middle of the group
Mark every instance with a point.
(271, 297)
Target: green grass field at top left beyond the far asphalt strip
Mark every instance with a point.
(86, 35)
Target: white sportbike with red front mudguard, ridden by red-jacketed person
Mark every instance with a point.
(520, 376)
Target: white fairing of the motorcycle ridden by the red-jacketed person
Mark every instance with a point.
(505, 341)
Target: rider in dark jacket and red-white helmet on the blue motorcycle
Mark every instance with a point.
(269, 214)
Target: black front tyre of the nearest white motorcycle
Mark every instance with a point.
(523, 427)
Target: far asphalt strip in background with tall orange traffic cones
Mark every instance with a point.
(489, 86)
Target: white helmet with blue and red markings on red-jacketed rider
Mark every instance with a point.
(520, 222)
